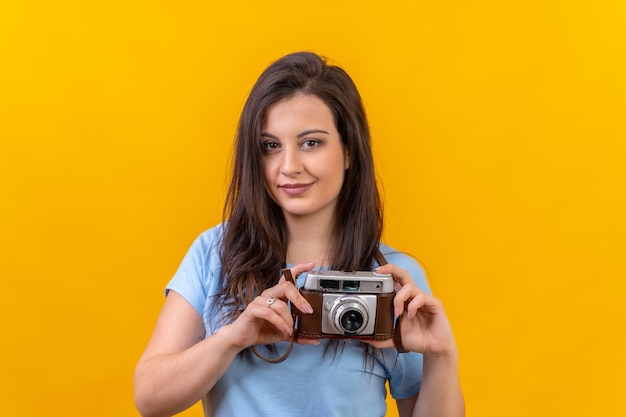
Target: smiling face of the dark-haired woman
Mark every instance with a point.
(304, 160)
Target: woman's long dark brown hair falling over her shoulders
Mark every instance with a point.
(255, 239)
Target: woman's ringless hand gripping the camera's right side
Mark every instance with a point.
(424, 326)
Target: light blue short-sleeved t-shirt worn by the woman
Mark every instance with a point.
(307, 383)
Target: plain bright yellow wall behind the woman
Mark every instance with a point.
(499, 136)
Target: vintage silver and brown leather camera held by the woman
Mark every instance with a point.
(348, 305)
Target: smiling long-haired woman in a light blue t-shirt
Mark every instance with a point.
(303, 195)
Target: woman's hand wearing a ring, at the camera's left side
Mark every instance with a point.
(267, 319)
